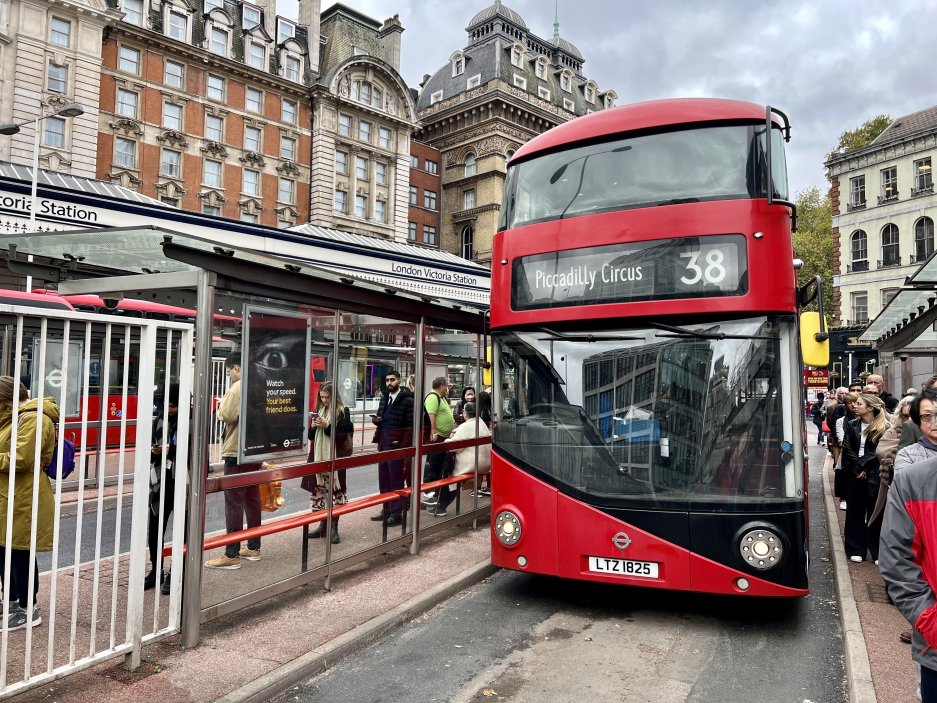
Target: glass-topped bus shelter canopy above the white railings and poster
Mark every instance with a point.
(68, 258)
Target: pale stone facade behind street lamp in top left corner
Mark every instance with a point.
(50, 55)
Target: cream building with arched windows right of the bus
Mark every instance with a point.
(884, 208)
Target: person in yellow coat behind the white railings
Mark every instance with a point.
(25, 476)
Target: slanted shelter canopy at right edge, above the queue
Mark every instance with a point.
(907, 324)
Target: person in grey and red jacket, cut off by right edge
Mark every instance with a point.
(908, 562)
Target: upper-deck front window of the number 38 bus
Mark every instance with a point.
(688, 165)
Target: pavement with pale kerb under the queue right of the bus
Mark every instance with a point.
(879, 668)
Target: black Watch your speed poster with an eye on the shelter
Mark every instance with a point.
(274, 385)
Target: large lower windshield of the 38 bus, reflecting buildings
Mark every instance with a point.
(653, 414)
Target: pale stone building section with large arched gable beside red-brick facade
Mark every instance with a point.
(364, 117)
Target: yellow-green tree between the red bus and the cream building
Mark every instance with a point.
(813, 242)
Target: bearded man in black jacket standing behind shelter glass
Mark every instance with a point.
(394, 421)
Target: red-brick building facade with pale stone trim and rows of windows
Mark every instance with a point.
(205, 105)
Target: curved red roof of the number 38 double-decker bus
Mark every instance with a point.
(640, 116)
